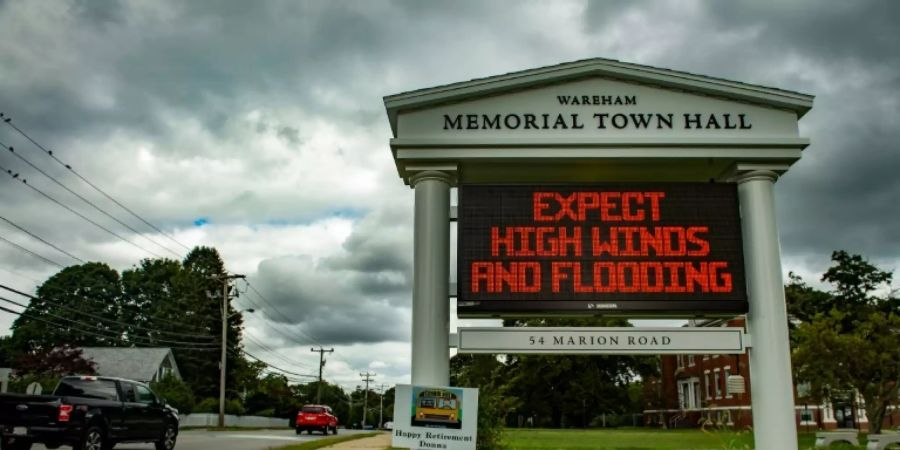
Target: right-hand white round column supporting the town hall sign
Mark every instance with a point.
(770, 363)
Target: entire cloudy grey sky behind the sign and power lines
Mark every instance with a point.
(259, 128)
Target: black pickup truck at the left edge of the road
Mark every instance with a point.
(88, 413)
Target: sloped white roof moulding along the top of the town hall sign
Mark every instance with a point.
(596, 67)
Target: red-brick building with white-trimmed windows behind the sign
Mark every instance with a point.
(693, 390)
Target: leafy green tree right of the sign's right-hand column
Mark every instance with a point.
(850, 338)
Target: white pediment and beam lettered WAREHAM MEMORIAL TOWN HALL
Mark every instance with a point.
(595, 120)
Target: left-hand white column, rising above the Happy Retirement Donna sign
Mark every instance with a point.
(431, 279)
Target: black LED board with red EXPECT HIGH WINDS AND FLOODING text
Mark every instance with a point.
(659, 249)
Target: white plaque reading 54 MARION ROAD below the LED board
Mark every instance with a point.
(602, 340)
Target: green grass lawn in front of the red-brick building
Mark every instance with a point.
(639, 439)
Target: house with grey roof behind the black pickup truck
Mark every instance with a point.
(139, 364)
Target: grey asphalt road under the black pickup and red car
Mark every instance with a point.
(231, 440)
